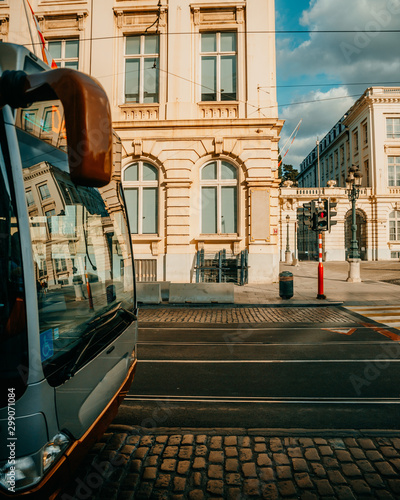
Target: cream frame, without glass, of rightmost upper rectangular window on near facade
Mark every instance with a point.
(218, 54)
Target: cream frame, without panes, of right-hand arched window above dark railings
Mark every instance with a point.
(219, 183)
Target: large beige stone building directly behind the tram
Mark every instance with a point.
(192, 90)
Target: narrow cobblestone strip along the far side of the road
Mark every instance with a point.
(244, 315)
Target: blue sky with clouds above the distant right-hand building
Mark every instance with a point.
(325, 73)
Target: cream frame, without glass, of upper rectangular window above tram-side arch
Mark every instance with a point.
(141, 58)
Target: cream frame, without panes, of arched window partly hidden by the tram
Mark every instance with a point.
(140, 185)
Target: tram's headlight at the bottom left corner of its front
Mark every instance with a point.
(20, 473)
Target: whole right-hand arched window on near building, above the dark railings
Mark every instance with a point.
(218, 198)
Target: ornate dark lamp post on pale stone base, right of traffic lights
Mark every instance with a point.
(353, 184)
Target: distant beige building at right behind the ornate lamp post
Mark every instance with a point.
(368, 137)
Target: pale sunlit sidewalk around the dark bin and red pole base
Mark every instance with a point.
(372, 289)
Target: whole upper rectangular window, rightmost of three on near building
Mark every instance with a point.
(218, 66)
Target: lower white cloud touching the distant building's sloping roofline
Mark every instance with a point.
(319, 115)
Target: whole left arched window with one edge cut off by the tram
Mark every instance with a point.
(140, 181)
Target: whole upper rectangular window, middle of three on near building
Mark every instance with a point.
(141, 68)
